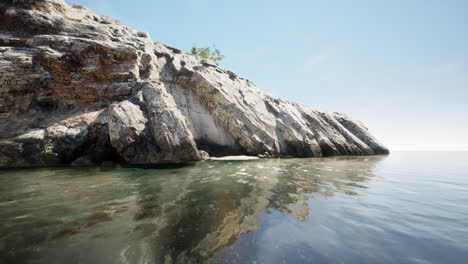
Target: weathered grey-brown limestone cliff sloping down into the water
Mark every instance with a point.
(76, 87)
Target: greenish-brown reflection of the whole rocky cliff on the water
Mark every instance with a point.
(172, 215)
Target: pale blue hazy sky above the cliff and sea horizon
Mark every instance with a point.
(399, 66)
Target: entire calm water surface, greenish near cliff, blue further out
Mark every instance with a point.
(409, 207)
